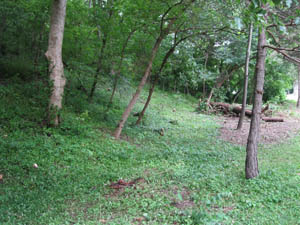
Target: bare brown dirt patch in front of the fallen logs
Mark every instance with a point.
(270, 133)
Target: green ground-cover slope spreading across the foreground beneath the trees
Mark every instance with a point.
(187, 167)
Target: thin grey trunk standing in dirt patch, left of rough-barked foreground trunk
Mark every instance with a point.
(242, 114)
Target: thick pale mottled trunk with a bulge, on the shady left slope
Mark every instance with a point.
(54, 57)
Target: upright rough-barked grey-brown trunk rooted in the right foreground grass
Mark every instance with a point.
(251, 164)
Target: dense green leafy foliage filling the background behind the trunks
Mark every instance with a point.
(101, 36)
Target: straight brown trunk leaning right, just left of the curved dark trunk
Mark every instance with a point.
(126, 113)
